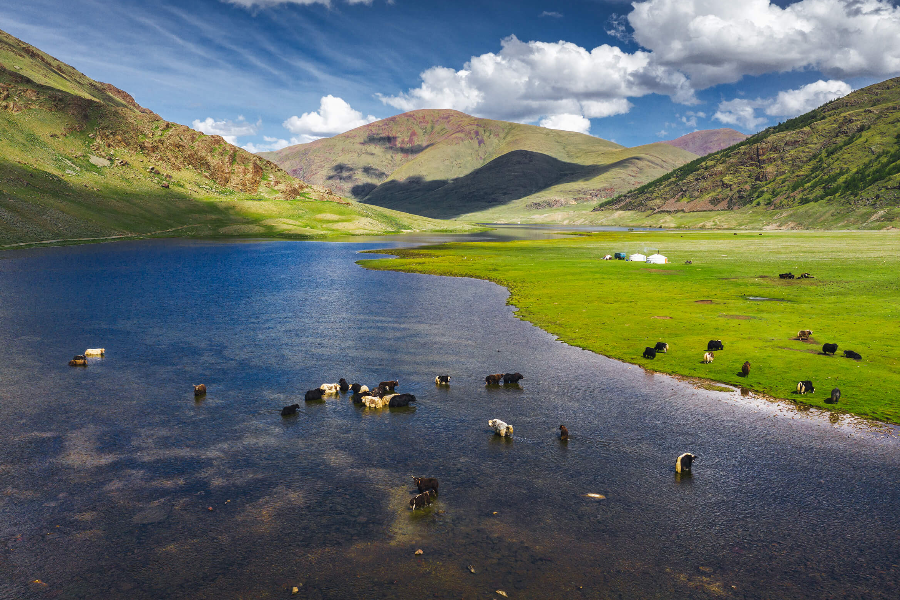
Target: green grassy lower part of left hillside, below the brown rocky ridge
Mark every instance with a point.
(51, 191)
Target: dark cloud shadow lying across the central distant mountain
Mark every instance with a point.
(505, 179)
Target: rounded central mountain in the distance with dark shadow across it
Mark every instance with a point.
(446, 164)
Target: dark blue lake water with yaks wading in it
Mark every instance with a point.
(117, 483)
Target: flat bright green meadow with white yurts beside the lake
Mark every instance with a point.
(617, 308)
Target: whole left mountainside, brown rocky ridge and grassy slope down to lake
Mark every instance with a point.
(80, 159)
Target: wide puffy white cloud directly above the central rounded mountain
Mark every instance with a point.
(526, 81)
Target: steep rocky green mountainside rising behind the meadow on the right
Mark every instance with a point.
(836, 166)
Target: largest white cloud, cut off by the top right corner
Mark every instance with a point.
(720, 41)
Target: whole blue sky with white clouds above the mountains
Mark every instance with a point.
(267, 73)
